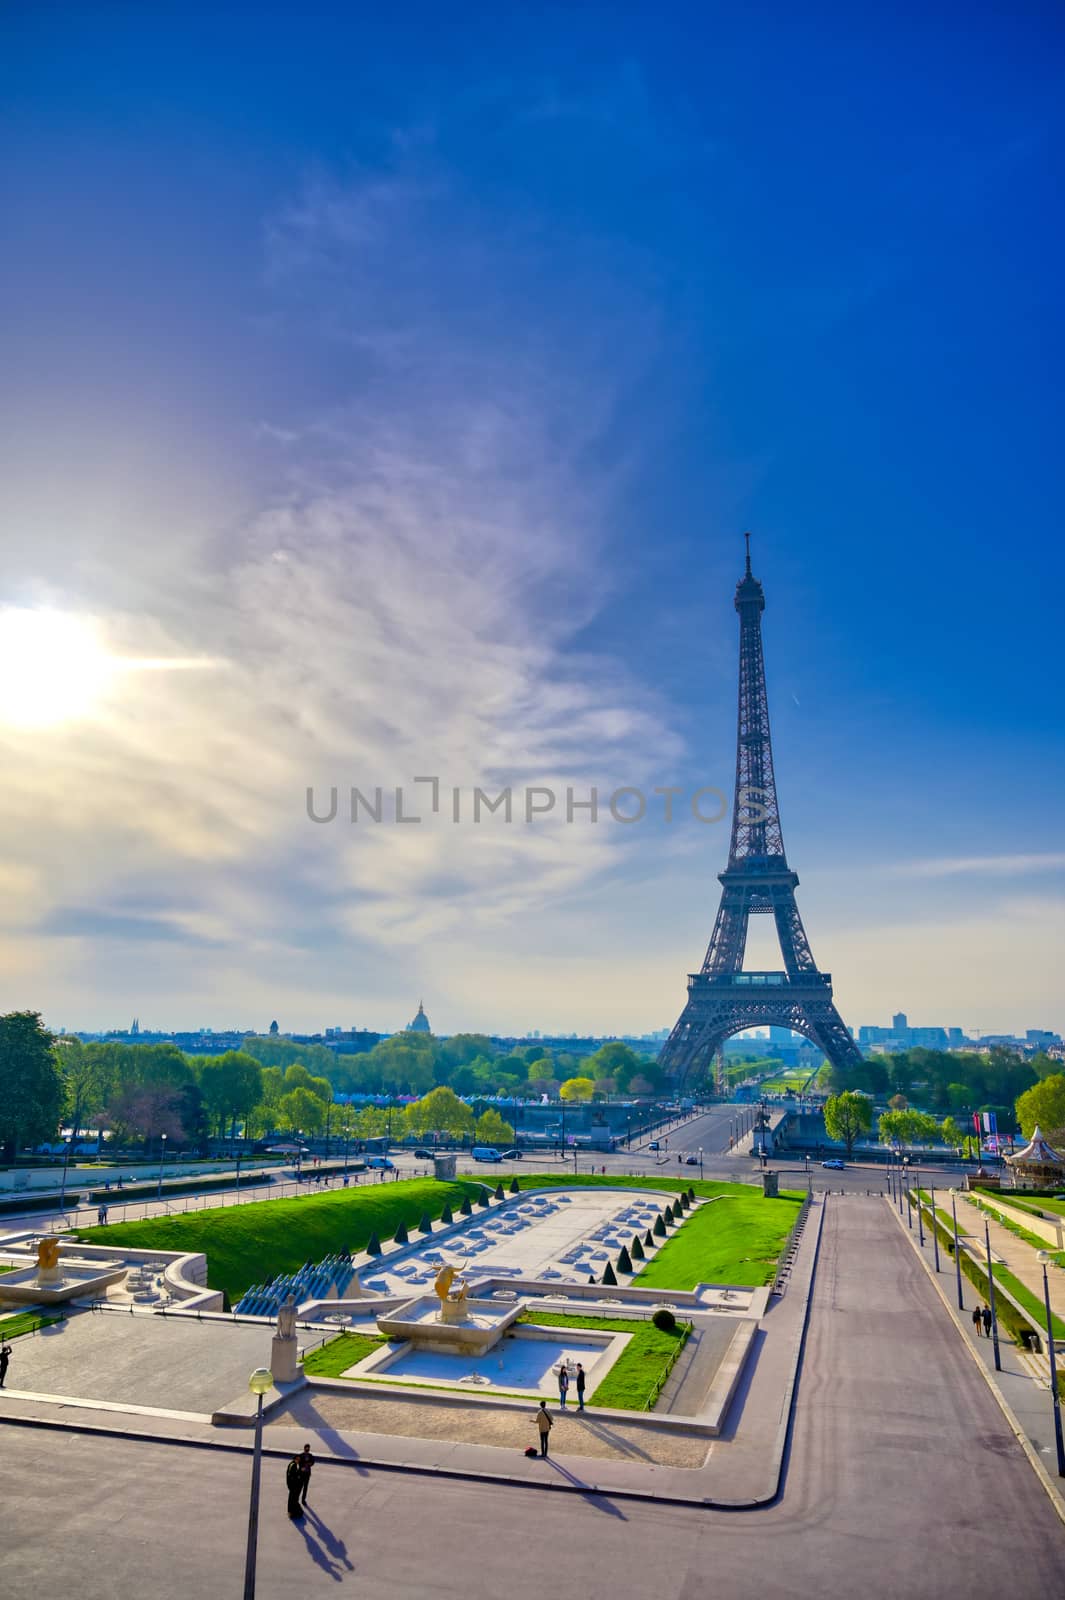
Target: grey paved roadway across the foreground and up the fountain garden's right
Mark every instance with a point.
(903, 1481)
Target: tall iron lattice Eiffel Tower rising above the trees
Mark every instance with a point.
(722, 998)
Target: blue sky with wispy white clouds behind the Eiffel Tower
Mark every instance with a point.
(410, 382)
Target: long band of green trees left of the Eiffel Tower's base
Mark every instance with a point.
(146, 1092)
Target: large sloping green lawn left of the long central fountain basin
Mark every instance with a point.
(258, 1241)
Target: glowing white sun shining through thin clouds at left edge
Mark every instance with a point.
(54, 668)
